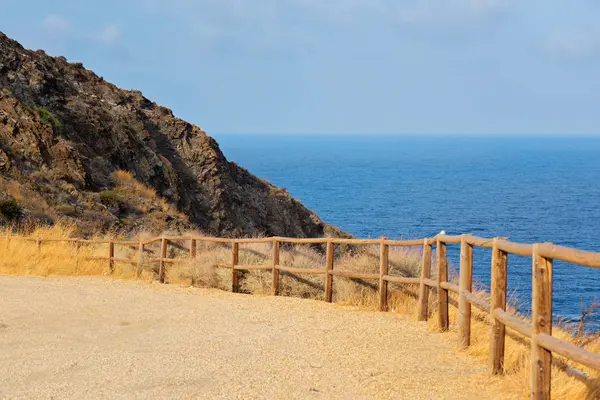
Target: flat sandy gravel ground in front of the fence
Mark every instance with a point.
(87, 338)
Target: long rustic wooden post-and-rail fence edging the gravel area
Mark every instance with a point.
(539, 330)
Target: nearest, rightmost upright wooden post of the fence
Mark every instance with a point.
(541, 316)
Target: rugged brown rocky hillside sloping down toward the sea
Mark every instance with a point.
(64, 132)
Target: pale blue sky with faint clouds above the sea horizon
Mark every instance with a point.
(477, 67)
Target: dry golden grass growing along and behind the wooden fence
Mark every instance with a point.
(204, 271)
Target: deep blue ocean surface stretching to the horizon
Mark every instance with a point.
(527, 189)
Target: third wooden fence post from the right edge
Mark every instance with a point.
(465, 284)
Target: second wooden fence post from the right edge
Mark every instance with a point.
(498, 300)
